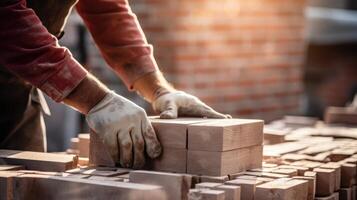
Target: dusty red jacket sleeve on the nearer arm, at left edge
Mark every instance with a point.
(30, 52)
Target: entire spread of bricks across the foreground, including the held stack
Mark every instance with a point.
(202, 159)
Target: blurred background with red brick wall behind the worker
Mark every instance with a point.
(252, 59)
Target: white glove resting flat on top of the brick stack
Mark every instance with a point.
(178, 103)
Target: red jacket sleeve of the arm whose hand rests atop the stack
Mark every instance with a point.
(117, 33)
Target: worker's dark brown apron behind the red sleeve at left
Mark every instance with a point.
(21, 120)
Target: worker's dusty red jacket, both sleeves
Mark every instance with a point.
(30, 50)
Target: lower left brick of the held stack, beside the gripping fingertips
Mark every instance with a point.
(171, 160)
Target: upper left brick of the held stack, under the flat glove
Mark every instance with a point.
(172, 133)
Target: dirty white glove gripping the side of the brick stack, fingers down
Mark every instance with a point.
(125, 130)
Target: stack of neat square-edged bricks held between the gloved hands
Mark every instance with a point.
(210, 147)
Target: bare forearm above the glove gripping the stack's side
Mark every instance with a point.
(87, 94)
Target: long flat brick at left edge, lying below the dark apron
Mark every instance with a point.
(39, 161)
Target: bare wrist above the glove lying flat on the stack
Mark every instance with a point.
(152, 85)
